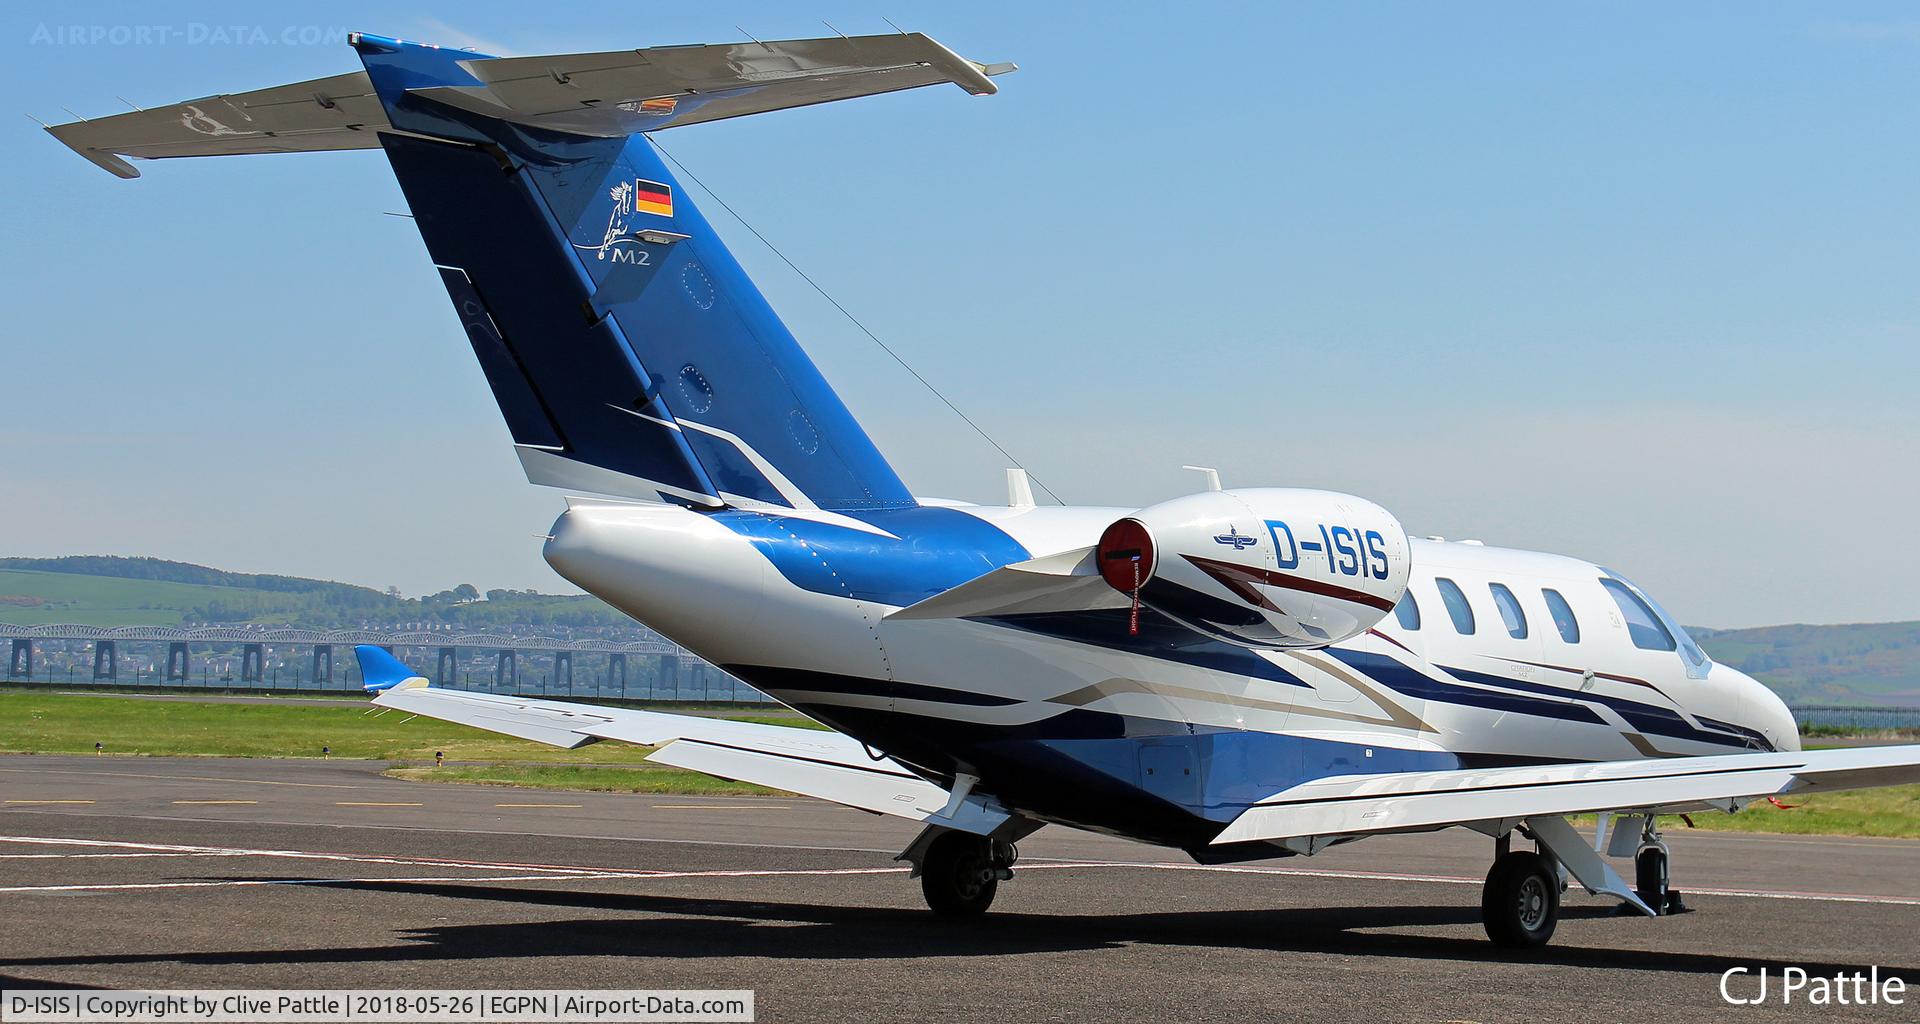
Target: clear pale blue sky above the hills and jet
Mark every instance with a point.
(1635, 283)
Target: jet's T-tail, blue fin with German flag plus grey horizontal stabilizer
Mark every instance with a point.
(625, 345)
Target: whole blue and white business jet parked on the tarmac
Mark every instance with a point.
(1236, 673)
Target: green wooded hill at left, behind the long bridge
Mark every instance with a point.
(101, 591)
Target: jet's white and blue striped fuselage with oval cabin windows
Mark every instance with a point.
(1045, 708)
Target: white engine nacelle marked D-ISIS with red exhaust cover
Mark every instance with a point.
(1262, 568)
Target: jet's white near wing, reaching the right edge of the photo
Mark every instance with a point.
(1410, 802)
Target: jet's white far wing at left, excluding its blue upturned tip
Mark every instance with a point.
(815, 764)
